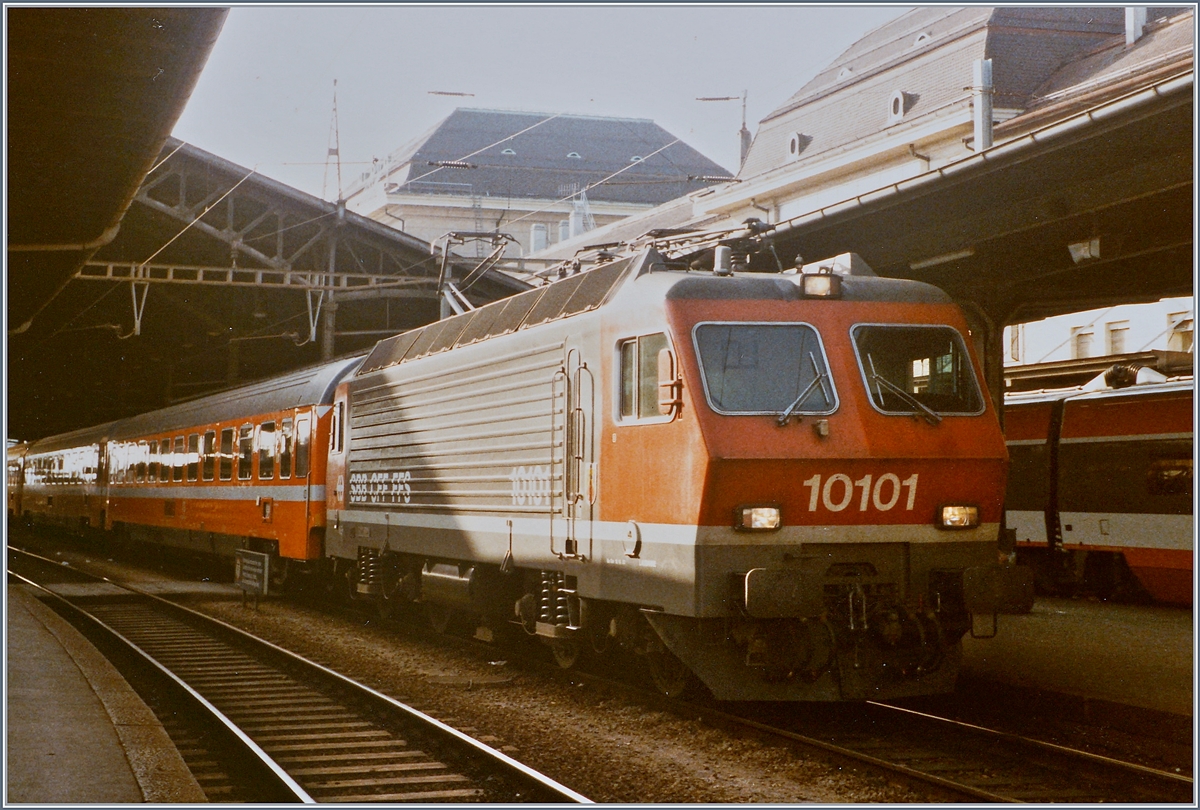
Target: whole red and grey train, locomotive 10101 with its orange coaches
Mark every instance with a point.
(789, 485)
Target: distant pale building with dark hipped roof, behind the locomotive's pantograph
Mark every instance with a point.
(542, 178)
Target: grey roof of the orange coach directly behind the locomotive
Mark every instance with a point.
(308, 387)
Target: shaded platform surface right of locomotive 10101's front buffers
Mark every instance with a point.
(1129, 655)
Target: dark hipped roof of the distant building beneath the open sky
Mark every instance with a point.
(548, 157)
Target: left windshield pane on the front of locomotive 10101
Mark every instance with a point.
(764, 369)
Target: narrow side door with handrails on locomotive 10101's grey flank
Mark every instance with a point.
(573, 481)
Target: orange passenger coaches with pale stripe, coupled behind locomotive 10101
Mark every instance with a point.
(236, 470)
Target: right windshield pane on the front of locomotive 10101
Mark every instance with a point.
(917, 370)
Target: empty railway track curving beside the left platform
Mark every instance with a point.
(266, 725)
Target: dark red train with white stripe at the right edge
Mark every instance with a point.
(1102, 487)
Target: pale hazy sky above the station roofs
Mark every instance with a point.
(266, 98)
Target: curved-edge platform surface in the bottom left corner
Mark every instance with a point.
(77, 733)
